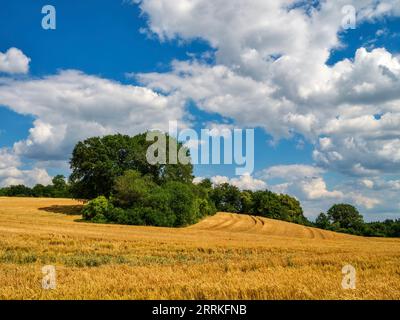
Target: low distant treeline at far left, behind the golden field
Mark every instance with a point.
(58, 189)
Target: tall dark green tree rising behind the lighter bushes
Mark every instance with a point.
(98, 161)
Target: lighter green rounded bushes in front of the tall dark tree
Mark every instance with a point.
(139, 201)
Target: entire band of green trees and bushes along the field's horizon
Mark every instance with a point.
(122, 187)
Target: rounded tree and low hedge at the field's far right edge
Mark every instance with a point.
(346, 218)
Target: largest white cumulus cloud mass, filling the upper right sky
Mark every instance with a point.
(271, 72)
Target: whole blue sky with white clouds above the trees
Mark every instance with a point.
(323, 101)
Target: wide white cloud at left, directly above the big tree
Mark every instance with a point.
(71, 106)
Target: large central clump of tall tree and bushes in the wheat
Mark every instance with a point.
(127, 189)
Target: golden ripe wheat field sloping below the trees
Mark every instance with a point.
(223, 257)
